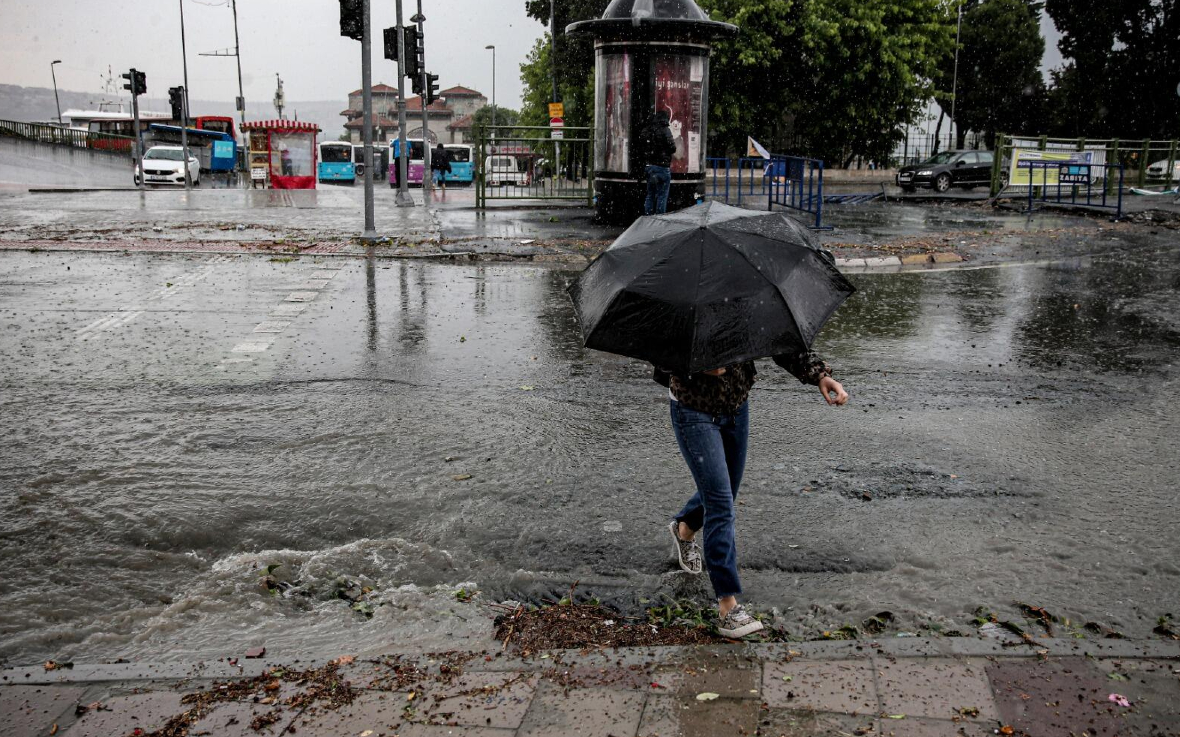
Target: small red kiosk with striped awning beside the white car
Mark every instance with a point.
(281, 154)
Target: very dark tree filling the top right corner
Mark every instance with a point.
(1123, 69)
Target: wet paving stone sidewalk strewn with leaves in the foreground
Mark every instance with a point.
(896, 687)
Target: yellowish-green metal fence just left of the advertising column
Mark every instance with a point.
(530, 163)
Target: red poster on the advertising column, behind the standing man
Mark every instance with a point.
(680, 91)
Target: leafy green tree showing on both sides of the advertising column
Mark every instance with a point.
(830, 78)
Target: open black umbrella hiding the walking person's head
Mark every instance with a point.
(709, 287)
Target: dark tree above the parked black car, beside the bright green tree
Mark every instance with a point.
(1000, 83)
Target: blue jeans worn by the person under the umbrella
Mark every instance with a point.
(714, 448)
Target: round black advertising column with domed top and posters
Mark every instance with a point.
(650, 55)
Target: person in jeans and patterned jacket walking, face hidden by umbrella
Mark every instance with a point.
(711, 419)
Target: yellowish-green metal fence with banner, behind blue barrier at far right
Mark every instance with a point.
(1145, 162)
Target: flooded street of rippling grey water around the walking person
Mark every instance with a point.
(173, 426)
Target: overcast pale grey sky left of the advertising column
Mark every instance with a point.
(299, 40)
